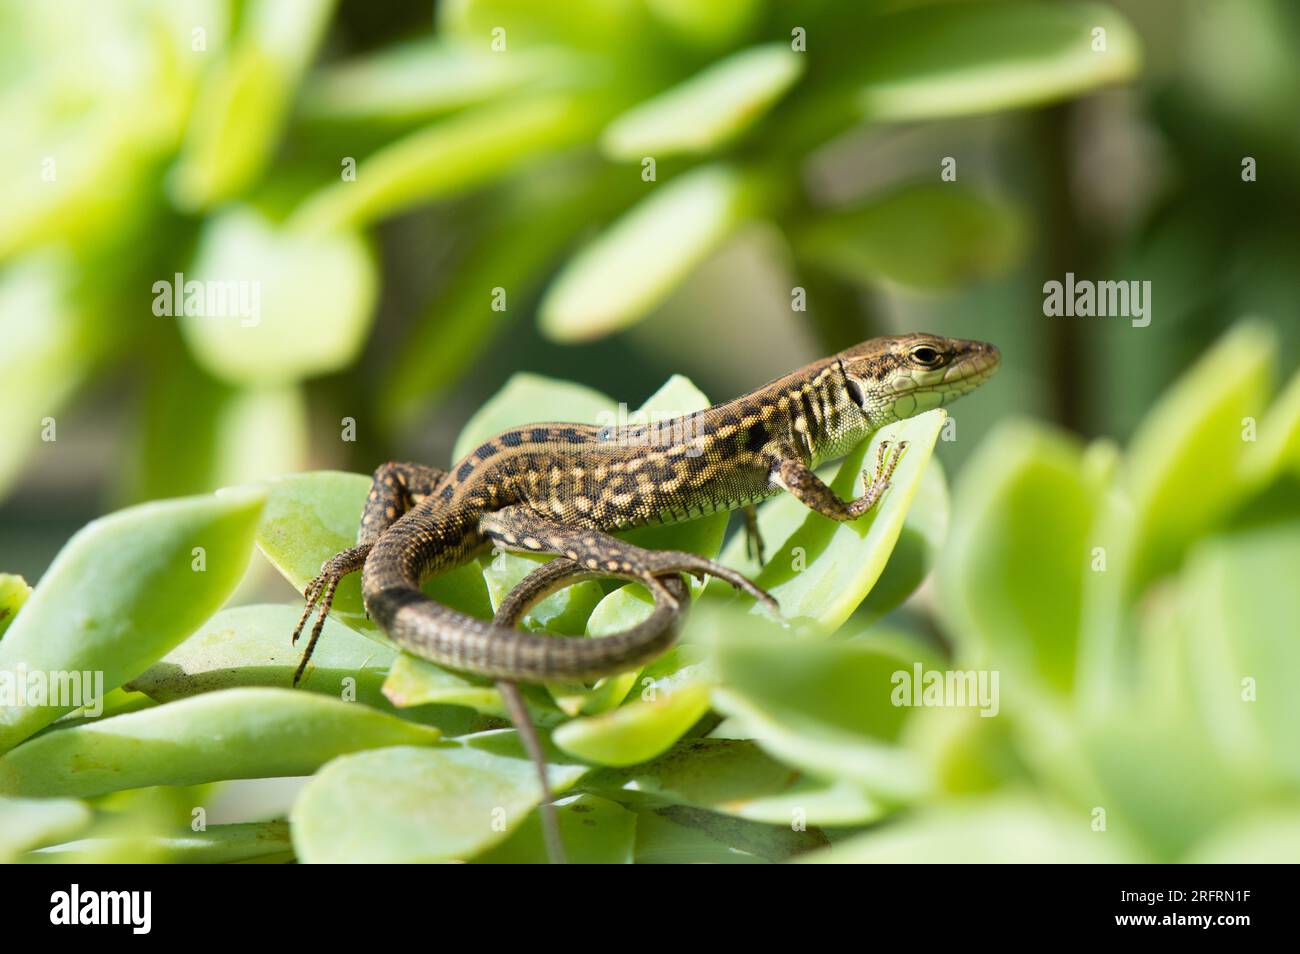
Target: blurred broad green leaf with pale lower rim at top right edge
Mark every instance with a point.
(957, 59)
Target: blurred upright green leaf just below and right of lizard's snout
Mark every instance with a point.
(1013, 595)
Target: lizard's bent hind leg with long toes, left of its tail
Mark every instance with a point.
(396, 488)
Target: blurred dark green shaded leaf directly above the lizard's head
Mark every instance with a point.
(924, 236)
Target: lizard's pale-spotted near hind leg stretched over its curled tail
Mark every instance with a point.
(525, 530)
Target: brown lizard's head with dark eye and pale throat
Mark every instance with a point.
(903, 376)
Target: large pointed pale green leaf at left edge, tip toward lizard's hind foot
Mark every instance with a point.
(124, 592)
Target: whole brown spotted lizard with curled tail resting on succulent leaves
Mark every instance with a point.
(564, 489)
